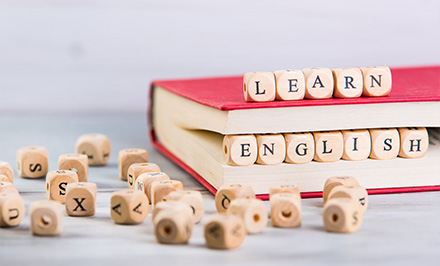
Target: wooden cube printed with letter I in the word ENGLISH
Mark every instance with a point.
(357, 144)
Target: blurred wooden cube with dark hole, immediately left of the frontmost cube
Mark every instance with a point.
(173, 227)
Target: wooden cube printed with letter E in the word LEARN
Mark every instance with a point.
(289, 84)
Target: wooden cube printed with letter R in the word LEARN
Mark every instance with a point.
(348, 82)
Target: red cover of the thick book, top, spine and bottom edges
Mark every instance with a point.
(418, 84)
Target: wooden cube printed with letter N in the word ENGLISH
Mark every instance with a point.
(271, 149)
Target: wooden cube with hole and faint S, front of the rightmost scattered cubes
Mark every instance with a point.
(341, 215)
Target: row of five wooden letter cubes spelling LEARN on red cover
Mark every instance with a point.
(317, 83)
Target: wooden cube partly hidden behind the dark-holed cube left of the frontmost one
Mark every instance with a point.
(191, 197)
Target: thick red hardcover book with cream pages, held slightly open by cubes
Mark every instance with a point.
(188, 118)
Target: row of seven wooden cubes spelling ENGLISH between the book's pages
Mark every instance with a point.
(327, 146)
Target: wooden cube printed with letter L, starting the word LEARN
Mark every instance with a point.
(259, 86)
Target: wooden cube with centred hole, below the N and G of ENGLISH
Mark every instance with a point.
(285, 210)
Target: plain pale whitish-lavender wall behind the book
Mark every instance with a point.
(99, 56)
